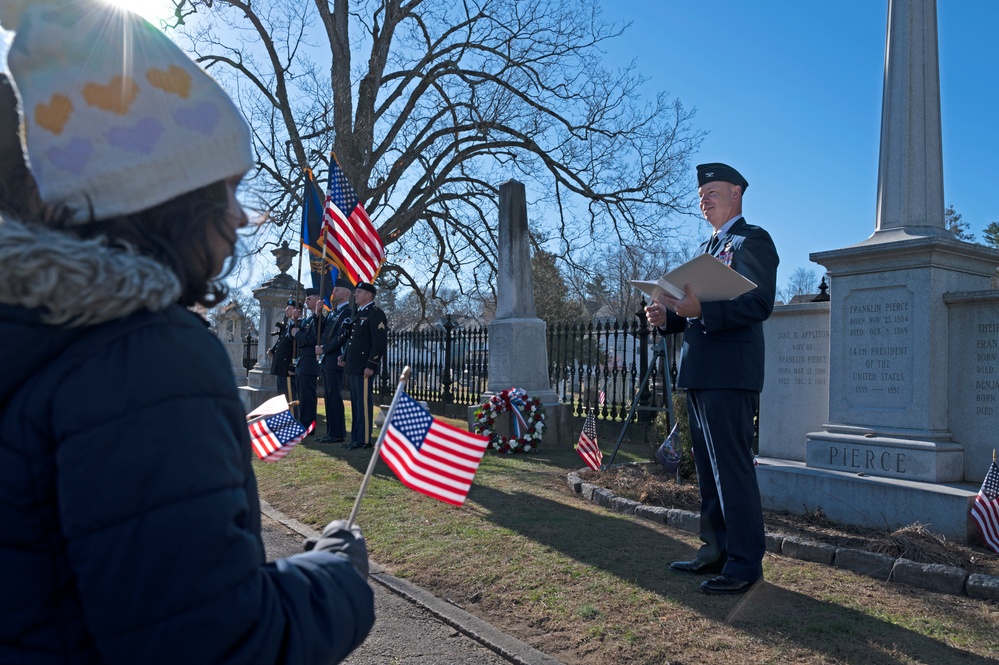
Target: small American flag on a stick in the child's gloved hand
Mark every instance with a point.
(429, 456)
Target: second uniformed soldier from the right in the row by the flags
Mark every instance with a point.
(334, 336)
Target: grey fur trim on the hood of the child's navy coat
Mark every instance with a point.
(73, 282)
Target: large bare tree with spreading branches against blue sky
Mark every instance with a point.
(429, 105)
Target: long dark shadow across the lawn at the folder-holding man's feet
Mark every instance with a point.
(640, 554)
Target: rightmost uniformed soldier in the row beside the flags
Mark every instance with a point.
(362, 360)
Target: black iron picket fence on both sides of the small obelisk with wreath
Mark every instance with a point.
(597, 365)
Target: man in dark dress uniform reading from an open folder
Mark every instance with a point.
(721, 367)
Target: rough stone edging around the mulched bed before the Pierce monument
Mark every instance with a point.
(930, 576)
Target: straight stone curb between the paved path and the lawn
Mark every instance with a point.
(485, 634)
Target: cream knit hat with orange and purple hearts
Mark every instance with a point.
(117, 118)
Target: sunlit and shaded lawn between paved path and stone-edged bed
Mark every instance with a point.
(590, 586)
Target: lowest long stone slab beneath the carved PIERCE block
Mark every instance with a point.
(867, 501)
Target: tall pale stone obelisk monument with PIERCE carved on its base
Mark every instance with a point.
(887, 456)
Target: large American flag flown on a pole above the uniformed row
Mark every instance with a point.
(351, 238)
